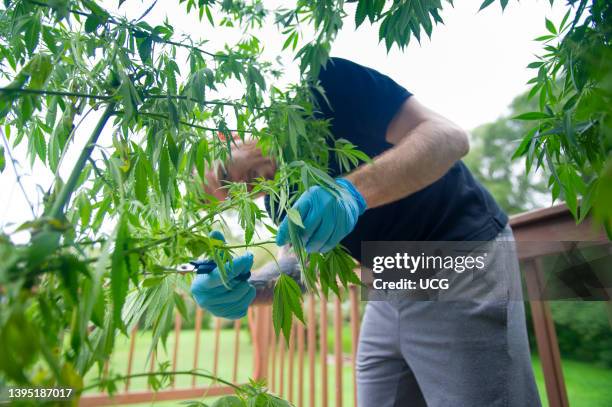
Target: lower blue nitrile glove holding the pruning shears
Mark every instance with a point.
(211, 294)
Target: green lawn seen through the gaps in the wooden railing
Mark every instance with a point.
(587, 385)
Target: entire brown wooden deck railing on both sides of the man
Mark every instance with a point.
(300, 369)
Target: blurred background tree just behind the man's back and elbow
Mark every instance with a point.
(492, 146)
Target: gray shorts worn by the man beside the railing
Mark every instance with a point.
(449, 353)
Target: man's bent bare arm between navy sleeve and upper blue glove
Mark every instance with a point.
(426, 145)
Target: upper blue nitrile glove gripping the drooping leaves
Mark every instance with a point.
(327, 217)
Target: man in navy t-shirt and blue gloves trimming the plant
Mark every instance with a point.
(411, 353)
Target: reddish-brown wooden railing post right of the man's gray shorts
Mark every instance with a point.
(546, 336)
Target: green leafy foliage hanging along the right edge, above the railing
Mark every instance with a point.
(572, 137)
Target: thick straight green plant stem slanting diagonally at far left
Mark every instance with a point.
(63, 197)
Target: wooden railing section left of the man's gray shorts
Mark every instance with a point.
(298, 370)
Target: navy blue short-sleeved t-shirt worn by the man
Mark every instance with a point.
(362, 103)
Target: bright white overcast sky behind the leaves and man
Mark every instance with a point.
(469, 71)
